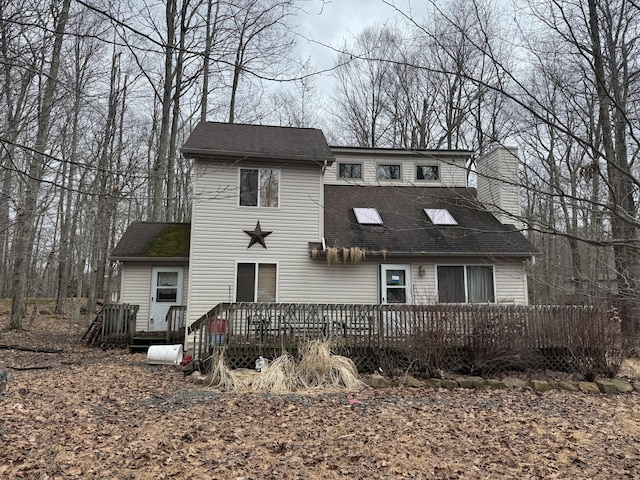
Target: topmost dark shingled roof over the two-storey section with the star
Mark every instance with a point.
(232, 140)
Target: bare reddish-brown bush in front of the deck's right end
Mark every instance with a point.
(483, 340)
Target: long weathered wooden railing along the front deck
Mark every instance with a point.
(478, 328)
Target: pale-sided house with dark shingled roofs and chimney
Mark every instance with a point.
(280, 216)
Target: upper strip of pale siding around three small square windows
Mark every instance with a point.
(452, 172)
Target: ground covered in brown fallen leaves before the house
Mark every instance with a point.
(87, 413)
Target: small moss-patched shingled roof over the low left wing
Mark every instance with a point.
(154, 240)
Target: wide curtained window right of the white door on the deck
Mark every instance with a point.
(465, 284)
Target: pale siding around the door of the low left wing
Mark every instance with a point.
(135, 289)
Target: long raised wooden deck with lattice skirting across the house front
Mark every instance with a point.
(466, 336)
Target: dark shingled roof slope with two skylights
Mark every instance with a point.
(406, 229)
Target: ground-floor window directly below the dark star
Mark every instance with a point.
(256, 282)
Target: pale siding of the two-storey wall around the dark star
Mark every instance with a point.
(218, 240)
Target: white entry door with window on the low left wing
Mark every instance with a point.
(166, 290)
